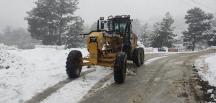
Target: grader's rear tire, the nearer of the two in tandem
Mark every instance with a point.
(137, 57)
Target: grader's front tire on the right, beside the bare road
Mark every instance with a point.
(120, 68)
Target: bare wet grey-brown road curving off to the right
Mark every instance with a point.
(167, 80)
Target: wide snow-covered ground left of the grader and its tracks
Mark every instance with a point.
(30, 72)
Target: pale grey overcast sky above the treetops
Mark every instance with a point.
(14, 11)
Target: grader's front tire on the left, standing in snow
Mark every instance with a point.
(74, 64)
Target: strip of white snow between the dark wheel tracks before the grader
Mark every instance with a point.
(74, 91)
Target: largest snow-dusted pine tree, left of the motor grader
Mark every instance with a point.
(50, 20)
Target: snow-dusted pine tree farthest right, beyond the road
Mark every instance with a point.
(198, 23)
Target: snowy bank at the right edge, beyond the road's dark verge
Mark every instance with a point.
(206, 67)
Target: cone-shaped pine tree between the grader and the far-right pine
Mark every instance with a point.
(163, 35)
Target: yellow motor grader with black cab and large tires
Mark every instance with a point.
(111, 45)
